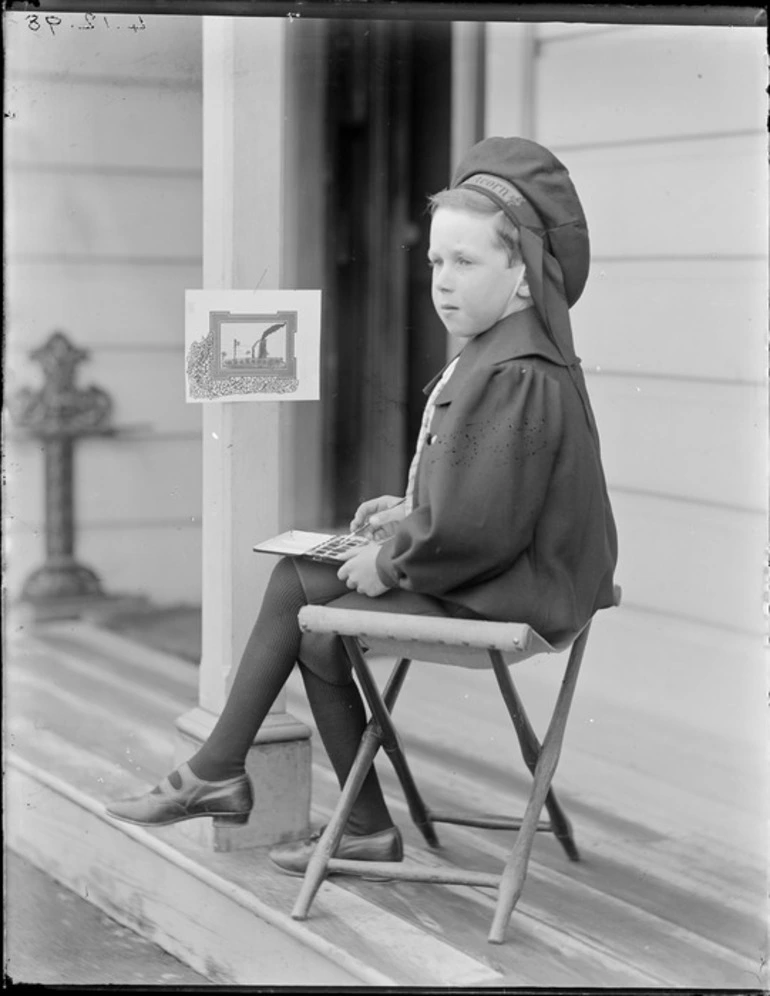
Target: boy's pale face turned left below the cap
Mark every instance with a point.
(474, 285)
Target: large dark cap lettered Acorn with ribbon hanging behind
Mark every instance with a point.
(534, 189)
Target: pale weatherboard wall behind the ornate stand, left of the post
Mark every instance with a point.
(103, 234)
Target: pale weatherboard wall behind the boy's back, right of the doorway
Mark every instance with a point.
(663, 131)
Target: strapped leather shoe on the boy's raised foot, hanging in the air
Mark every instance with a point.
(229, 801)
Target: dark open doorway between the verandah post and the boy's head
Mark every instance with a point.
(388, 140)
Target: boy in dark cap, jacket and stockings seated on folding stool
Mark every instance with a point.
(506, 515)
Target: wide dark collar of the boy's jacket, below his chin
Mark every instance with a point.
(518, 335)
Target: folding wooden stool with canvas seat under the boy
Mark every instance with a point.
(463, 643)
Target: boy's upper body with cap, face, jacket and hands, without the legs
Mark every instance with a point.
(510, 516)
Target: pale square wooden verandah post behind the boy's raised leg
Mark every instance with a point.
(244, 157)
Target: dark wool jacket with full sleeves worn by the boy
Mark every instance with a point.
(511, 516)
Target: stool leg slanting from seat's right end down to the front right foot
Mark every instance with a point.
(512, 879)
